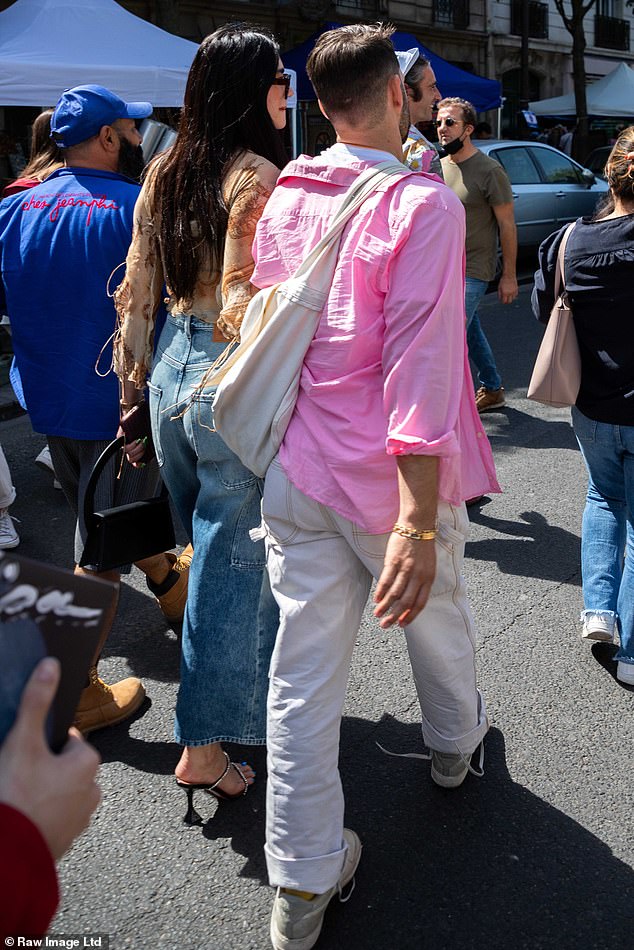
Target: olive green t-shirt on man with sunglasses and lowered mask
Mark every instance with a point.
(480, 182)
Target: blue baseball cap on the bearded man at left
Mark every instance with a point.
(83, 110)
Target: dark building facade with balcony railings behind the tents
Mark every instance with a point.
(481, 36)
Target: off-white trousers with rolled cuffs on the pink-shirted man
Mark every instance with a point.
(321, 567)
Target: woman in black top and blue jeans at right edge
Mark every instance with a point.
(599, 280)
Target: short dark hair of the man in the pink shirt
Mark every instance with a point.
(350, 68)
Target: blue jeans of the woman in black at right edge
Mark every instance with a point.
(608, 524)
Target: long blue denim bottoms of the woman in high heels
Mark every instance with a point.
(231, 618)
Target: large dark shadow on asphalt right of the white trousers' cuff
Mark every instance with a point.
(488, 865)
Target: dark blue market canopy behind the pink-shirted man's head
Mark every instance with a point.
(452, 81)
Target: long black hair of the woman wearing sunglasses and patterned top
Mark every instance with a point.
(224, 113)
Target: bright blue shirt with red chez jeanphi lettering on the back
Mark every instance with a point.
(59, 244)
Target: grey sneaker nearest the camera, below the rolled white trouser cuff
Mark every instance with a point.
(296, 923)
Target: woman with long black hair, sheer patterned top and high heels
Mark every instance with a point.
(194, 224)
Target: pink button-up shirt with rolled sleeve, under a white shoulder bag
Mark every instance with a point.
(387, 372)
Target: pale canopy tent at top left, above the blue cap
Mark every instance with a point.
(47, 46)
